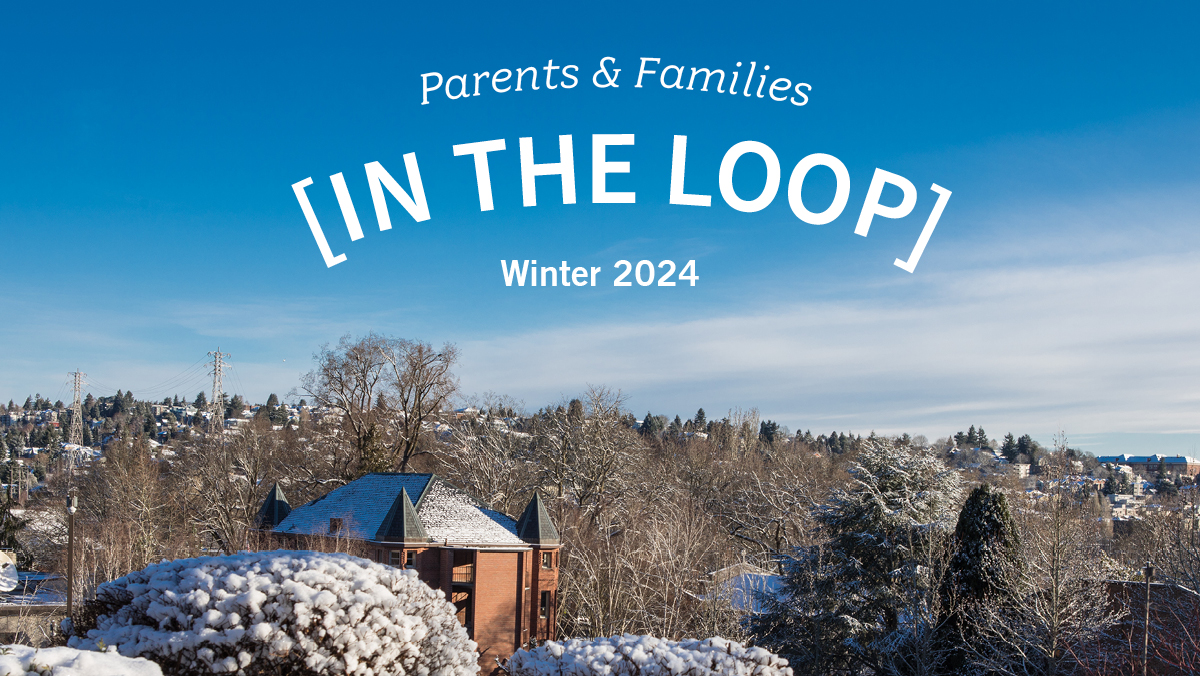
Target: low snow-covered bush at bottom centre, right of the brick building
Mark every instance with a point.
(646, 656)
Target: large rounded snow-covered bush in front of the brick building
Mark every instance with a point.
(297, 613)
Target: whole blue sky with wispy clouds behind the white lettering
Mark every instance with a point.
(148, 154)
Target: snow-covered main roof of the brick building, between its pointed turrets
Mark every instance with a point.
(448, 515)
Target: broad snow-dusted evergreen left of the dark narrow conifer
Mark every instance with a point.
(847, 606)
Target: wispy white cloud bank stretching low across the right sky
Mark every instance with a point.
(1103, 345)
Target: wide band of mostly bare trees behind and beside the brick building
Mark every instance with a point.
(669, 525)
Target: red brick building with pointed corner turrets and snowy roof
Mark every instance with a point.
(502, 575)
